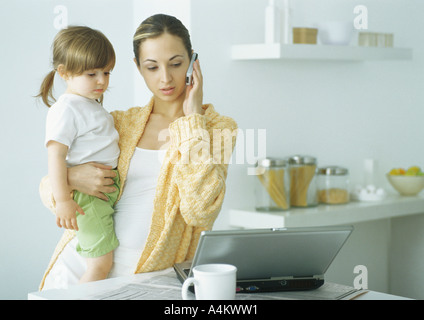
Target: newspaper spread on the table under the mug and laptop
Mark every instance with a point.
(164, 285)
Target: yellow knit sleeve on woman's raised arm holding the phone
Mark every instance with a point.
(201, 168)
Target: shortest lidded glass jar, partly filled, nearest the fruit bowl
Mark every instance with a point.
(333, 185)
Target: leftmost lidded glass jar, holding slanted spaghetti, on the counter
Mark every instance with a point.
(272, 185)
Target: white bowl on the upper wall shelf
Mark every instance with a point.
(335, 32)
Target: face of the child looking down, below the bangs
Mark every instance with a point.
(90, 84)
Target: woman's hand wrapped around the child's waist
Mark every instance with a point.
(92, 178)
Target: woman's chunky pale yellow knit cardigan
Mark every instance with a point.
(189, 193)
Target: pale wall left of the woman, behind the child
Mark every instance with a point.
(28, 231)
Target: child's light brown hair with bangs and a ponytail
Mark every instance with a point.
(79, 49)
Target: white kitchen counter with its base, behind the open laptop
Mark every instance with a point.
(388, 239)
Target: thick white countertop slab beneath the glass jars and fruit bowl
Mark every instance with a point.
(324, 215)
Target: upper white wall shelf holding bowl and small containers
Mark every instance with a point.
(317, 52)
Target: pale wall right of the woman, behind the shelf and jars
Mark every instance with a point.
(339, 112)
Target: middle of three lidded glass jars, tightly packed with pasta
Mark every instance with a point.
(303, 188)
